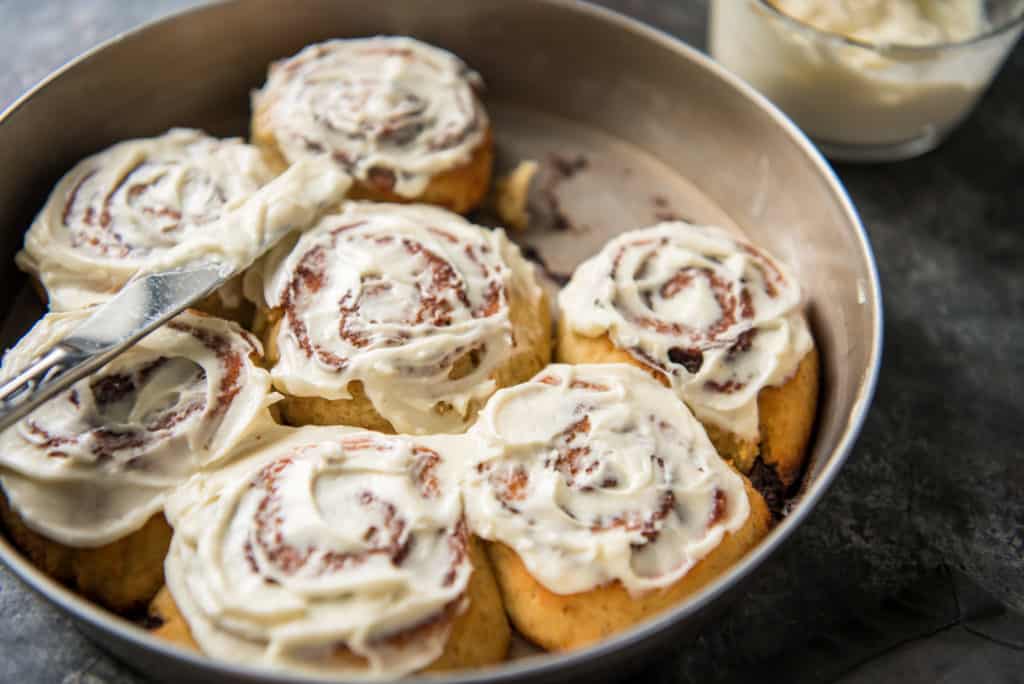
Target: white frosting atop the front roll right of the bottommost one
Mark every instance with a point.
(596, 474)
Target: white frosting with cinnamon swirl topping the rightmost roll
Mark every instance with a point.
(716, 318)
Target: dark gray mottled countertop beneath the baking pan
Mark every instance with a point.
(911, 569)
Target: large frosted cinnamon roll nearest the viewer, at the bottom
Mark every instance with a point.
(333, 551)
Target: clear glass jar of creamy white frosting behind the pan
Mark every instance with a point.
(869, 80)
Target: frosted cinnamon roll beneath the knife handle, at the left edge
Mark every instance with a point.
(87, 476)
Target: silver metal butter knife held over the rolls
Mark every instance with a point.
(141, 308)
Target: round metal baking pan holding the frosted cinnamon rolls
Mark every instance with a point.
(652, 129)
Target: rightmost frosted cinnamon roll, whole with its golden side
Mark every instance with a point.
(715, 319)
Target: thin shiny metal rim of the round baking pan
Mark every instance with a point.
(127, 633)
